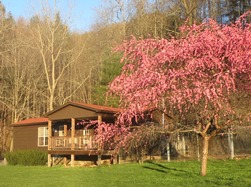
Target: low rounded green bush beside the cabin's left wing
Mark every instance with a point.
(26, 158)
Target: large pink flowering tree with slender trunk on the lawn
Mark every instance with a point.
(199, 72)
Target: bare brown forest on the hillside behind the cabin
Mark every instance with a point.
(45, 64)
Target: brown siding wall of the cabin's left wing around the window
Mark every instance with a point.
(25, 137)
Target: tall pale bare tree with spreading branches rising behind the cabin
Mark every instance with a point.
(50, 36)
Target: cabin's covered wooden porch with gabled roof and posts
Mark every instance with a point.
(69, 139)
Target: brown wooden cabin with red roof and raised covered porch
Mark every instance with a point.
(60, 134)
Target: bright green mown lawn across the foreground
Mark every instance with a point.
(220, 173)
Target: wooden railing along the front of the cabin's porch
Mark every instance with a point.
(81, 142)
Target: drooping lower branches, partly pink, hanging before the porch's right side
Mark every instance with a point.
(137, 142)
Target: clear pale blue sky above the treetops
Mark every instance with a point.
(82, 16)
